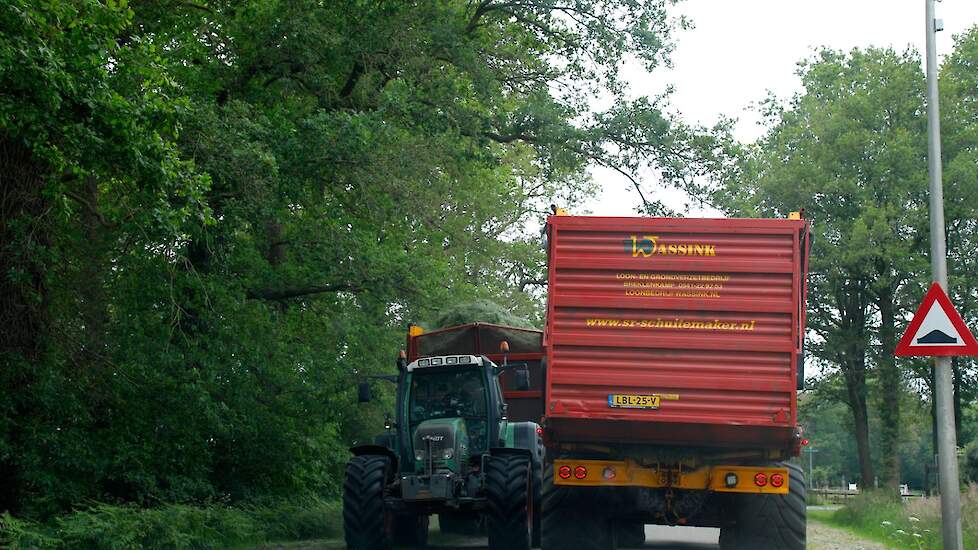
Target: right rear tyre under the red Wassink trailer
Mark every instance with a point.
(769, 522)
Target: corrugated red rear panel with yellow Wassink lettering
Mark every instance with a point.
(706, 313)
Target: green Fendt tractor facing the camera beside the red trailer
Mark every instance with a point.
(451, 451)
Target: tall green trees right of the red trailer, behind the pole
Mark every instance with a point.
(850, 150)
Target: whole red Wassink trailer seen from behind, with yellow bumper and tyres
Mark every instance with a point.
(674, 351)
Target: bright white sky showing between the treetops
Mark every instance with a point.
(741, 49)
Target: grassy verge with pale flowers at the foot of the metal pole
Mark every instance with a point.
(915, 524)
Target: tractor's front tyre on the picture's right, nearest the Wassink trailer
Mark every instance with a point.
(508, 495)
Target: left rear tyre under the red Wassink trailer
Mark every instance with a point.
(571, 520)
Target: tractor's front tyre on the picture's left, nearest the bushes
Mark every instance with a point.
(365, 521)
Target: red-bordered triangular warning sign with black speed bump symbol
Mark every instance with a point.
(937, 329)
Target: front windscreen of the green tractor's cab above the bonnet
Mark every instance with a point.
(451, 394)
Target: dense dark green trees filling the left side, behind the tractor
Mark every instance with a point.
(217, 216)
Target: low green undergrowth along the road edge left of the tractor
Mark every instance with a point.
(176, 526)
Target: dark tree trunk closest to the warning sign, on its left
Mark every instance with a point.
(890, 392)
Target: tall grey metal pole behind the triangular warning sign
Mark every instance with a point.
(944, 385)
